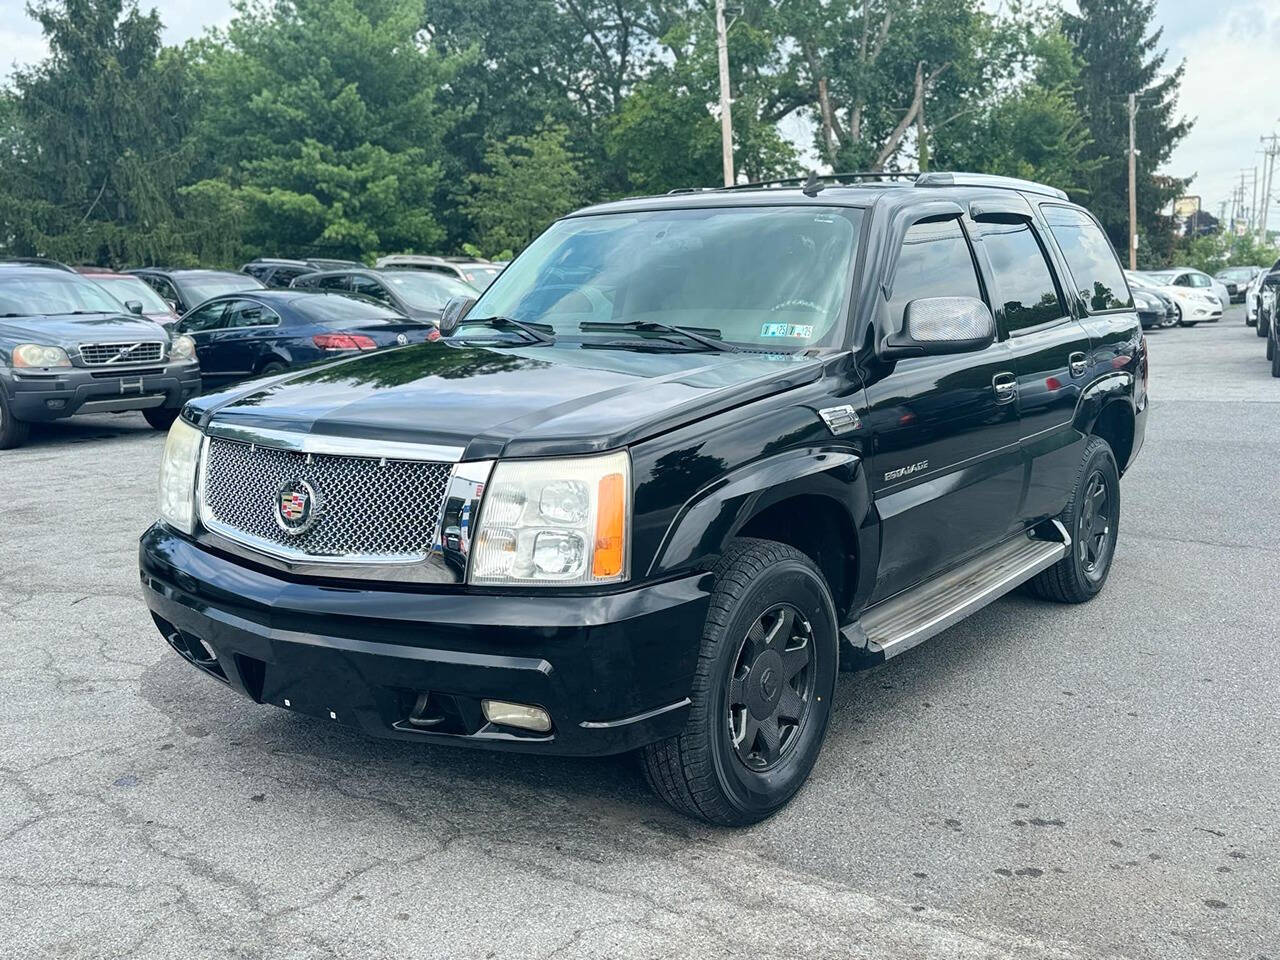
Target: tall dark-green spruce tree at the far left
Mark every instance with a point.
(97, 140)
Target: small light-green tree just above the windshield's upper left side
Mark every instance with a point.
(529, 182)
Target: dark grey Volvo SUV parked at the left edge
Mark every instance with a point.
(68, 348)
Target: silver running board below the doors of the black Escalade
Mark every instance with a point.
(900, 623)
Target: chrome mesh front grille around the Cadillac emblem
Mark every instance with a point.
(368, 509)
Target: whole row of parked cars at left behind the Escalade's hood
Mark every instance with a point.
(90, 341)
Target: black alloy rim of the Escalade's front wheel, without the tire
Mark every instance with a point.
(771, 688)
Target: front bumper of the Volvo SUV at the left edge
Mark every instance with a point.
(40, 396)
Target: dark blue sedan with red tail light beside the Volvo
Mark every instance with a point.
(259, 333)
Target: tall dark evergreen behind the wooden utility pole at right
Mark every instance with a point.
(1122, 54)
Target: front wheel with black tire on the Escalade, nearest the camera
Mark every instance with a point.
(702, 772)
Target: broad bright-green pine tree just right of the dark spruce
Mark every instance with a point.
(323, 129)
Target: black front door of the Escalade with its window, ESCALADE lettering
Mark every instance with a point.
(948, 470)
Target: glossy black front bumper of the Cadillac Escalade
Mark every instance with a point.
(614, 671)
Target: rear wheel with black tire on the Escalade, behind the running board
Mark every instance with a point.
(1082, 574)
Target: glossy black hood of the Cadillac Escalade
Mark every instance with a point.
(520, 401)
